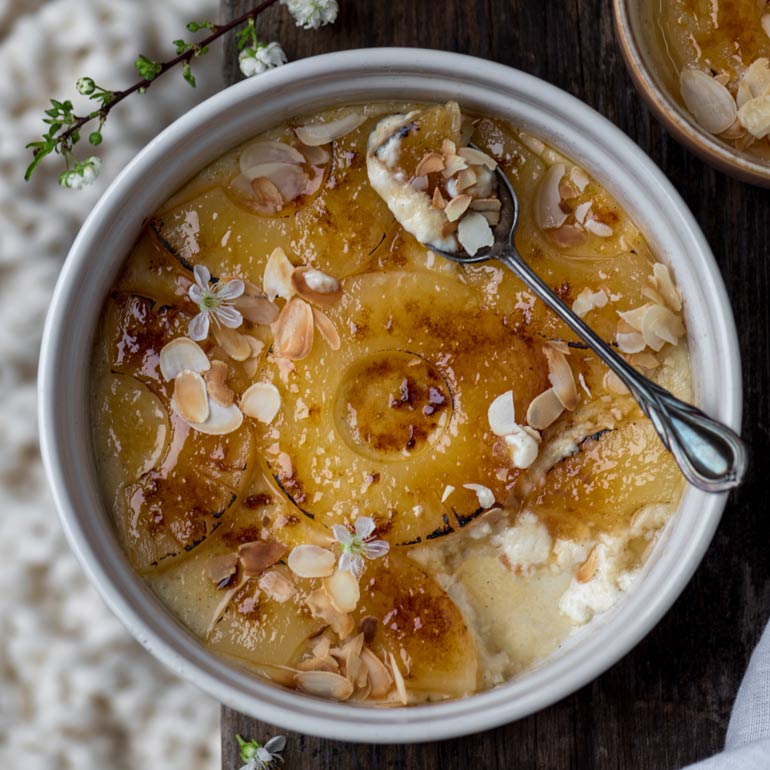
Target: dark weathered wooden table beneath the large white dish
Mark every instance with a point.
(668, 702)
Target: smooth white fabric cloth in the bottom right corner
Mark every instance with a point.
(747, 745)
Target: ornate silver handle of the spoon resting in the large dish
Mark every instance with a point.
(710, 455)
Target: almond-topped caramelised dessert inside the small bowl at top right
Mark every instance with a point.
(716, 54)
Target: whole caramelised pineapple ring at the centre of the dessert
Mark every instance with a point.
(358, 425)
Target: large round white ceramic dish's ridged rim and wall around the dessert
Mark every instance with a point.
(233, 116)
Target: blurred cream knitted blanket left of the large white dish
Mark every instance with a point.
(75, 690)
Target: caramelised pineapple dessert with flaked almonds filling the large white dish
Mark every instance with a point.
(353, 467)
